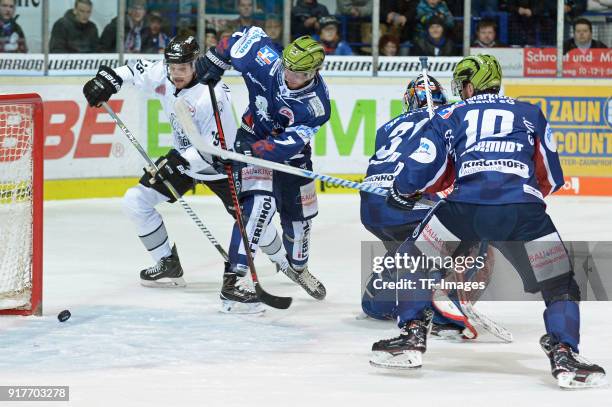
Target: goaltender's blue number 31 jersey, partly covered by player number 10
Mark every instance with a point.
(392, 149)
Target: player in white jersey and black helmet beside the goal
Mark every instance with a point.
(183, 165)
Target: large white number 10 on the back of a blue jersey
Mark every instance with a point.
(490, 118)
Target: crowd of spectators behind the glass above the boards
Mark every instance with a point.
(407, 27)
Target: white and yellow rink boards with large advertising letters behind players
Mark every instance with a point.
(86, 155)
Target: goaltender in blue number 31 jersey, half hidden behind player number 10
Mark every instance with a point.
(392, 225)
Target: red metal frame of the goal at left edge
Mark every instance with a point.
(37, 201)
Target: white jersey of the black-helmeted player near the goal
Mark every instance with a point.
(151, 77)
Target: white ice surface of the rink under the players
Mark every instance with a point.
(127, 345)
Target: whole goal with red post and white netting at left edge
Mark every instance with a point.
(21, 204)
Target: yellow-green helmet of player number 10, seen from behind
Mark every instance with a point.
(482, 71)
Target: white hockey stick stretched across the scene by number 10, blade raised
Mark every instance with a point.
(207, 148)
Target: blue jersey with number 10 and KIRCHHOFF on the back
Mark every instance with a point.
(499, 149)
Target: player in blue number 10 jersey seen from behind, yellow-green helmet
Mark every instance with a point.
(505, 162)
